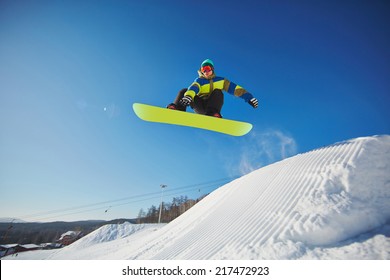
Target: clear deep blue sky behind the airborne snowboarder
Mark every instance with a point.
(71, 147)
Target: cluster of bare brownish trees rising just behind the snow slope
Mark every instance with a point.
(169, 210)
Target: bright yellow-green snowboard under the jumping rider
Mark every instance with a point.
(162, 115)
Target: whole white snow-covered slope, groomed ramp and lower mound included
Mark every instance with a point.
(330, 203)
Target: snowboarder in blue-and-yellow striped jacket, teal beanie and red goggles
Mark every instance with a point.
(205, 94)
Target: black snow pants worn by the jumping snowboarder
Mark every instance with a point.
(208, 106)
